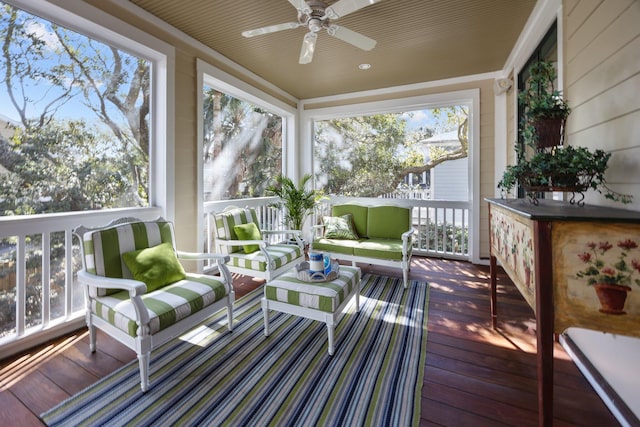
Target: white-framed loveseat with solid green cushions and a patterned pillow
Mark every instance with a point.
(379, 235)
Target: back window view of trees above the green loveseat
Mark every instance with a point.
(411, 154)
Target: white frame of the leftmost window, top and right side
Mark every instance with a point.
(92, 22)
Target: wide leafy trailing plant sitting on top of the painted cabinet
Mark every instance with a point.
(570, 169)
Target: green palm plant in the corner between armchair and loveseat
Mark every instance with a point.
(297, 200)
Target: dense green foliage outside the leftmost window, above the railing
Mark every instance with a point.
(60, 167)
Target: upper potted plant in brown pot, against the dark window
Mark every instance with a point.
(544, 109)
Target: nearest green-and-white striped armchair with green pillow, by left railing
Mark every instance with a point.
(137, 291)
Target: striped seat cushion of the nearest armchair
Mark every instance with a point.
(165, 306)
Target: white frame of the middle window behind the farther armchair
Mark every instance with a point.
(222, 81)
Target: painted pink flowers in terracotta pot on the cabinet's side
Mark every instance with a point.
(610, 276)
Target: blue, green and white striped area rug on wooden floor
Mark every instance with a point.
(242, 378)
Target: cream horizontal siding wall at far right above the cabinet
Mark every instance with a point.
(602, 84)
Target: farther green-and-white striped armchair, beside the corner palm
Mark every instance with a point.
(238, 235)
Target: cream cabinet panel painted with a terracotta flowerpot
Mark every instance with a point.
(597, 276)
